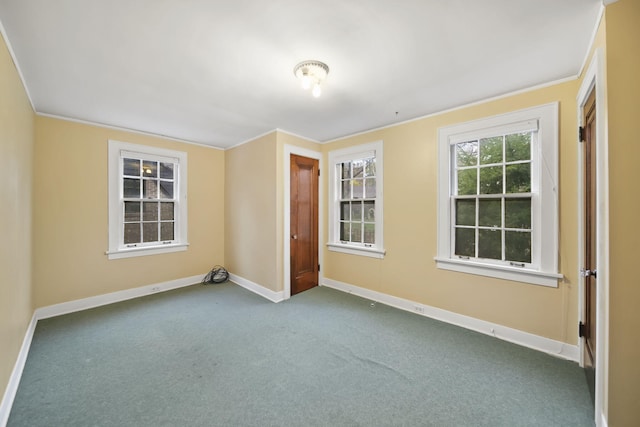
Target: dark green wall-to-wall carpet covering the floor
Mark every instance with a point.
(218, 355)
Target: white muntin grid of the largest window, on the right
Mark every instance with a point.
(476, 146)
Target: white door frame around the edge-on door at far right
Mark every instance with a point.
(595, 77)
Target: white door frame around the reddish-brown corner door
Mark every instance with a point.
(286, 173)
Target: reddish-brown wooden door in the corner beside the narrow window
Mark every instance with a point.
(304, 223)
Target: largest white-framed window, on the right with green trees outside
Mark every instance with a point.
(497, 213)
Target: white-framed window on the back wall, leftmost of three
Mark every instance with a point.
(147, 200)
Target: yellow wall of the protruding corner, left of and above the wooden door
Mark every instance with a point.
(254, 208)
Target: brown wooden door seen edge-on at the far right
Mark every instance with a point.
(589, 270)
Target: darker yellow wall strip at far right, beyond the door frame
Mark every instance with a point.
(623, 91)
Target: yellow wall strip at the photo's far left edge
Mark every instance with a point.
(16, 159)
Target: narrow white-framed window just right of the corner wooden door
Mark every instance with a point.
(355, 216)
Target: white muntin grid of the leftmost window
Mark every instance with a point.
(153, 175)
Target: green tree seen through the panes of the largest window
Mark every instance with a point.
(492, 198)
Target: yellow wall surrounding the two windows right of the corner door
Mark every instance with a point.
(410, 227)
